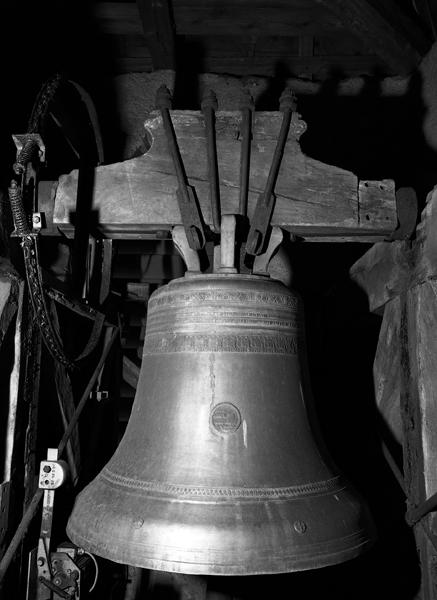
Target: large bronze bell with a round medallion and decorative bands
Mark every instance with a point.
(220, 470)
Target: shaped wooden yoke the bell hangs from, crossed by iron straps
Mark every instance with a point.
(312, 198)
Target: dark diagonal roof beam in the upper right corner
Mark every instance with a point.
(381, 36)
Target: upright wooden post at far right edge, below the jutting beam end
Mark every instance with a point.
(419, 415)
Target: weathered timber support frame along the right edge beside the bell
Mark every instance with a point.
(400, 278)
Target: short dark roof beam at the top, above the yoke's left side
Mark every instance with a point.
(158, 32)
